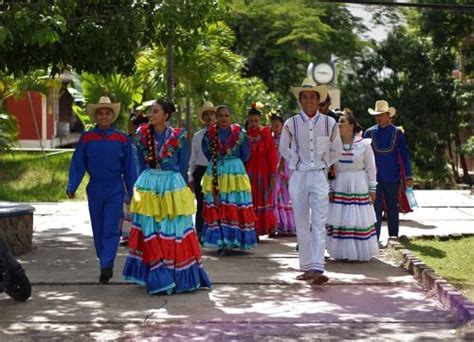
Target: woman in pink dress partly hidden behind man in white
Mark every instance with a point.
(283, 211)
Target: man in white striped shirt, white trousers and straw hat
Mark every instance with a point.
(310, 142)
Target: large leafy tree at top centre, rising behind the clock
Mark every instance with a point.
(280, 38)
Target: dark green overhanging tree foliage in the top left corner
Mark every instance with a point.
(98, 36)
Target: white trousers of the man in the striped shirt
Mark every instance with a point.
(309, 197)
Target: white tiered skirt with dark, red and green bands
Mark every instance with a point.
(351, 219)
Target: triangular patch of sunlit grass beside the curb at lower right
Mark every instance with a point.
(452, 260)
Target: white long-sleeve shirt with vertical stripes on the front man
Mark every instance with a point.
(310, 143)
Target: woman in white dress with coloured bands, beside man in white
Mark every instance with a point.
(351, 221)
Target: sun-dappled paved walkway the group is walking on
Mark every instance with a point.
(255, 295)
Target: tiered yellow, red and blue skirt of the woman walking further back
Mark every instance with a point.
(229, 219)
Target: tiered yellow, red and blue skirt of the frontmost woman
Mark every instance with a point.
(164, 253)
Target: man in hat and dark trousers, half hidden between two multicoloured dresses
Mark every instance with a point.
(198, 161)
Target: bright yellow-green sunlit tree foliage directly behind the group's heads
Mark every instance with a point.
(209, 72)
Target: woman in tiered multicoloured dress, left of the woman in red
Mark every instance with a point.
(229, 218)
